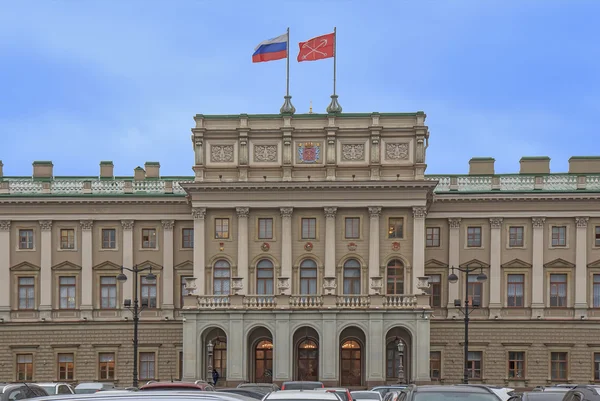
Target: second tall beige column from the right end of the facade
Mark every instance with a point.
(537, 273)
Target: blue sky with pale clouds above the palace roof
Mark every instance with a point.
(84, 81)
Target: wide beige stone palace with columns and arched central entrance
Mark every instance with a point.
(304, 247)
